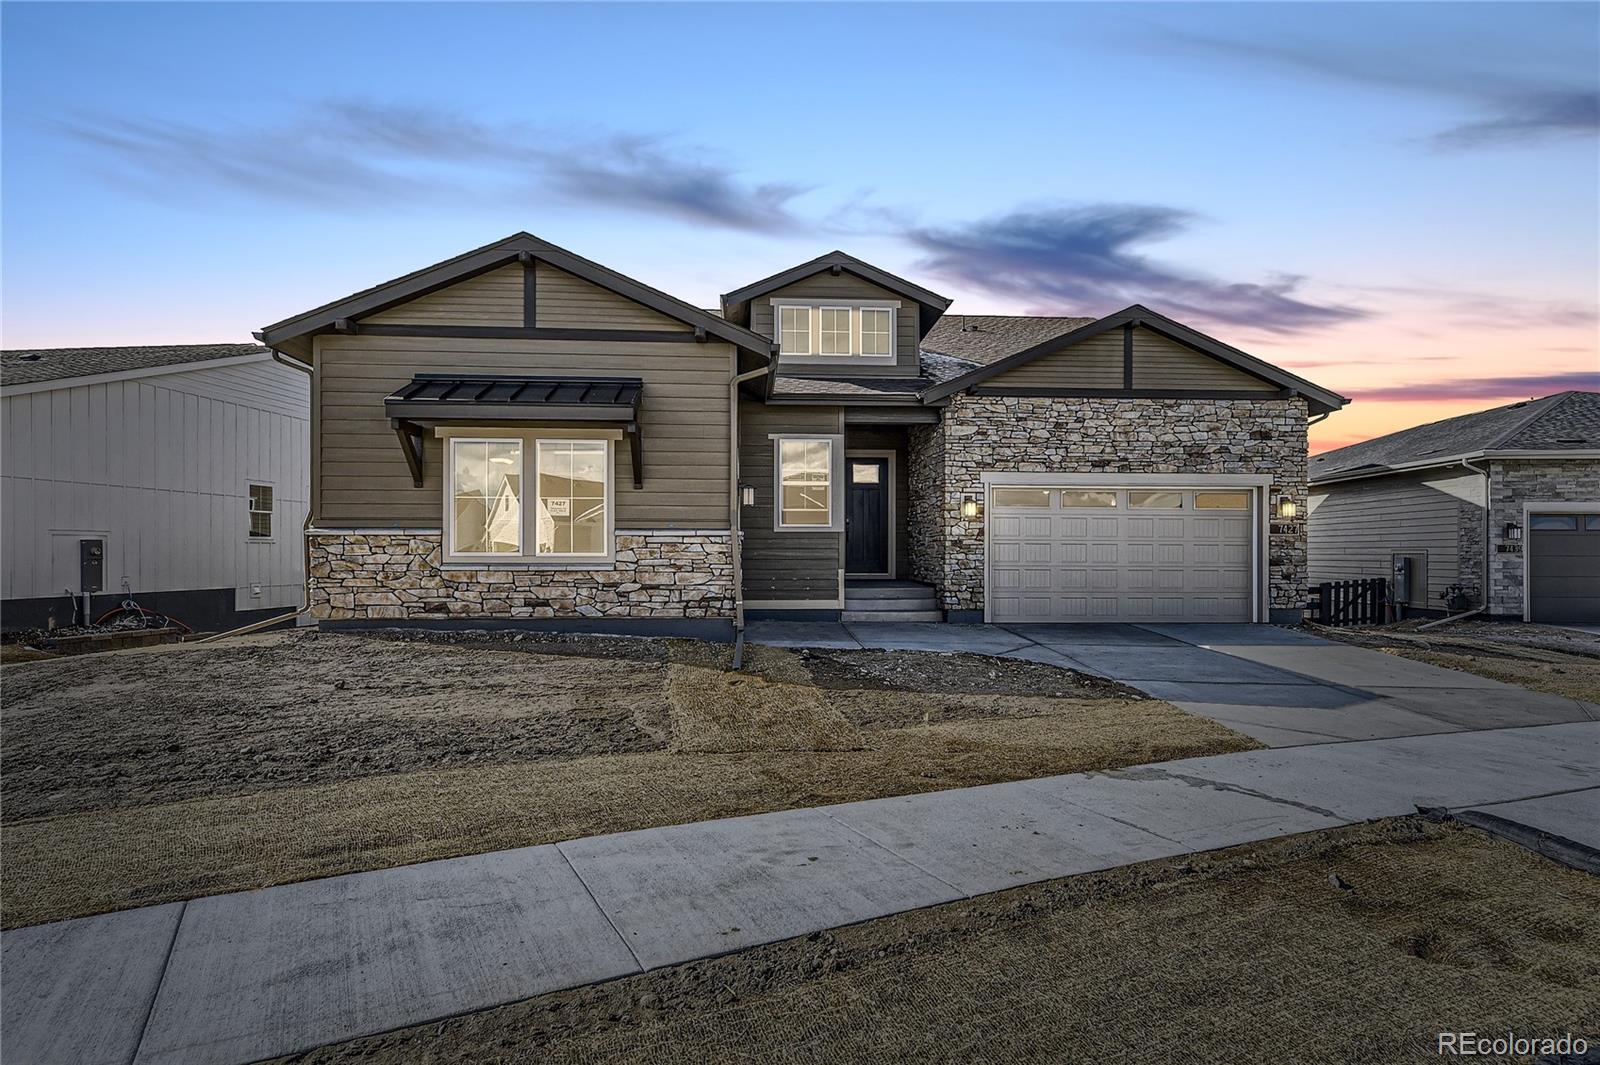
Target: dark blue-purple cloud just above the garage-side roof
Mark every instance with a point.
(1084, 260)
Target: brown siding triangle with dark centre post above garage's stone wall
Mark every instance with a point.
(1158, 364)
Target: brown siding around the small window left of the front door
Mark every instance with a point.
(783, 565)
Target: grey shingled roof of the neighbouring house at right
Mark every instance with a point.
(1567, 421)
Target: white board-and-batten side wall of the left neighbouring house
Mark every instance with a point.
(159, 468)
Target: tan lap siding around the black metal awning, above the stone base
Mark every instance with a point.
(362, 477)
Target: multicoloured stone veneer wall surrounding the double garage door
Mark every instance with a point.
(1102, 436)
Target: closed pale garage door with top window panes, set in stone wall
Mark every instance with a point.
(1119, 554)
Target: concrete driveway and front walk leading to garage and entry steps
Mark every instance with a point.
(1281, 687)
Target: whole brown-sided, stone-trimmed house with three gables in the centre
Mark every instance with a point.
(521, 434)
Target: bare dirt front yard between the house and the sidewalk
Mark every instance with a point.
(170, 773)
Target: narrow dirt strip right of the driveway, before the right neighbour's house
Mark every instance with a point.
(1543, 658)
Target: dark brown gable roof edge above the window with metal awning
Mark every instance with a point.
(294, 333)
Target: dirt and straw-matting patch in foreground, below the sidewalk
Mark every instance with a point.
(1244, 955)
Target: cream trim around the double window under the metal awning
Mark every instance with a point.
(527, 559)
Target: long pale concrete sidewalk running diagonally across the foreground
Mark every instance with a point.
(258, 975)
